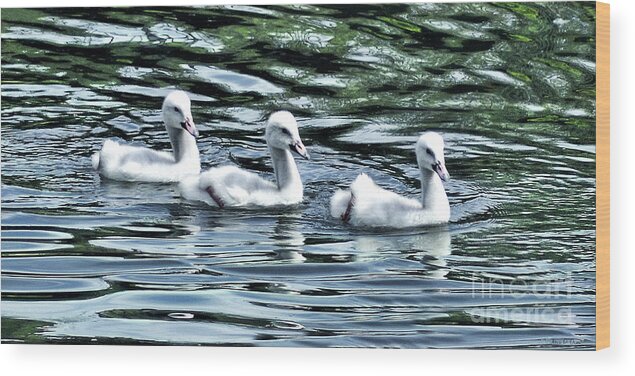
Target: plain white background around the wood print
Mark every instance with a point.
(116, 360)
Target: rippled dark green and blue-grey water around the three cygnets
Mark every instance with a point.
(511, 86)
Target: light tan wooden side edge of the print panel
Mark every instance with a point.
(602, 198)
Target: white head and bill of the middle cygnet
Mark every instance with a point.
(282, 133)
